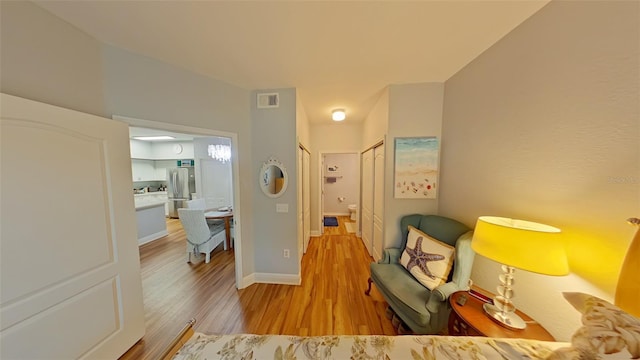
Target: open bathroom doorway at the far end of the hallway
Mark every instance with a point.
(340, 186)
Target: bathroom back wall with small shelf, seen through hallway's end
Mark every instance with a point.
(345, 190)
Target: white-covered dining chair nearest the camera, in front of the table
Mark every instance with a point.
(200, 239)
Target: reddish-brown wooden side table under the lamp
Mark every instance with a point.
(470, 320)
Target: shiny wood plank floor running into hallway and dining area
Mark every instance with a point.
(329, 301)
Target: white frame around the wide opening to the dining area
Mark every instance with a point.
(237, 217)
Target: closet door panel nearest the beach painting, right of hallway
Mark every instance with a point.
(378, 201)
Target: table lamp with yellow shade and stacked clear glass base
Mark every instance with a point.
(517, 244)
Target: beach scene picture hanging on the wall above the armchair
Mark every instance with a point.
(416, 167)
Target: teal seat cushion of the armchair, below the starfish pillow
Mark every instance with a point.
(407, 296)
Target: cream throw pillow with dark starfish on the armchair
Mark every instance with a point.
(427, 259)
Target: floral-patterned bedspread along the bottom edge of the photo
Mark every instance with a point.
(371, 347)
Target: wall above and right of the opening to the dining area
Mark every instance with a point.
(45, 59)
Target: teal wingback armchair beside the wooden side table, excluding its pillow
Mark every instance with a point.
(424, 311)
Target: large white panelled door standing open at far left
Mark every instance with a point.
(70, 268)
